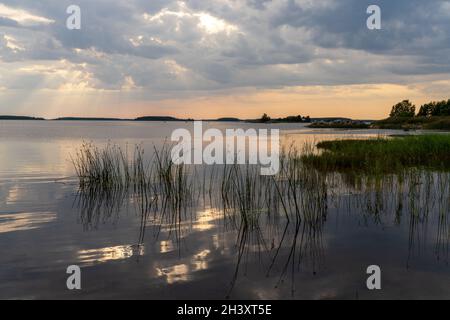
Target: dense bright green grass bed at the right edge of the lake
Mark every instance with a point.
(382, 155)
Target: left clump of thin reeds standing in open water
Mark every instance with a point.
(109, 176)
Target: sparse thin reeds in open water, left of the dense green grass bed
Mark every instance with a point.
(244, 194)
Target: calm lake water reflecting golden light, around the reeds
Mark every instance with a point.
(45, 227)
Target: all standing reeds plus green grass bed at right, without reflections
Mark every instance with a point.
(301, 191)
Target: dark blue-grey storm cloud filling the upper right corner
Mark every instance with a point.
(409, 27)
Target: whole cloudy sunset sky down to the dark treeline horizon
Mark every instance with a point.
(219, 58)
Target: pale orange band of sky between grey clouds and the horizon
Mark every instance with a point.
(371, 101)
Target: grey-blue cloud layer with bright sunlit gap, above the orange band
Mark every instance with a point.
(163, 49)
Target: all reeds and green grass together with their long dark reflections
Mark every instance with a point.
(381, 181)
